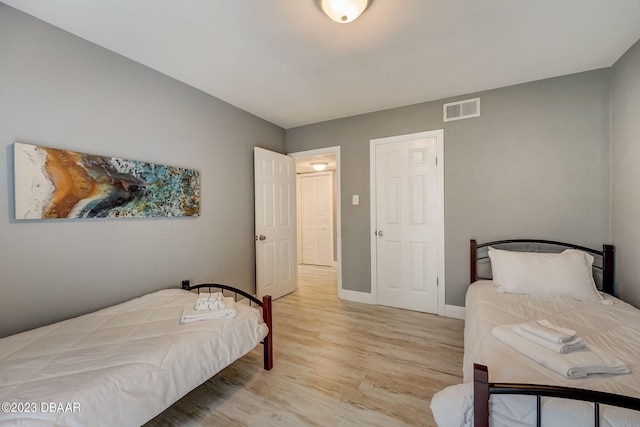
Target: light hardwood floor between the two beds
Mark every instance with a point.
(337, 363)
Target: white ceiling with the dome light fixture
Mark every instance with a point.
(286, 62)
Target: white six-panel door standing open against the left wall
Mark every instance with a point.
(275, 228)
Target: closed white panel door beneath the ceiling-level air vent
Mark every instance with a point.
(407, 227)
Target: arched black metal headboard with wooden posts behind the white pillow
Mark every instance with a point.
(603, 265)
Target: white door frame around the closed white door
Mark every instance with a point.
(439, 134)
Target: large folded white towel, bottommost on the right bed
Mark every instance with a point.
(577, 364)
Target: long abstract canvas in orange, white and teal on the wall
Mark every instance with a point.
(52, 183)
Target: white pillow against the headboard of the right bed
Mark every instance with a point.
(567, 274)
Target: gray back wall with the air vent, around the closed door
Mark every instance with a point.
(535, 164)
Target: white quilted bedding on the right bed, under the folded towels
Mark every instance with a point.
(614, 329)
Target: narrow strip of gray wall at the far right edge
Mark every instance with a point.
(625, 173)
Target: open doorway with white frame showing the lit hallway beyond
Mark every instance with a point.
(319, 233)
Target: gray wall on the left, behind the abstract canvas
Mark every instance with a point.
(61, 91)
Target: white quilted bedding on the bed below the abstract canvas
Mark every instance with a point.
(119, 366)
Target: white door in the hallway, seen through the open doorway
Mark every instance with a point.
(316, 193)
